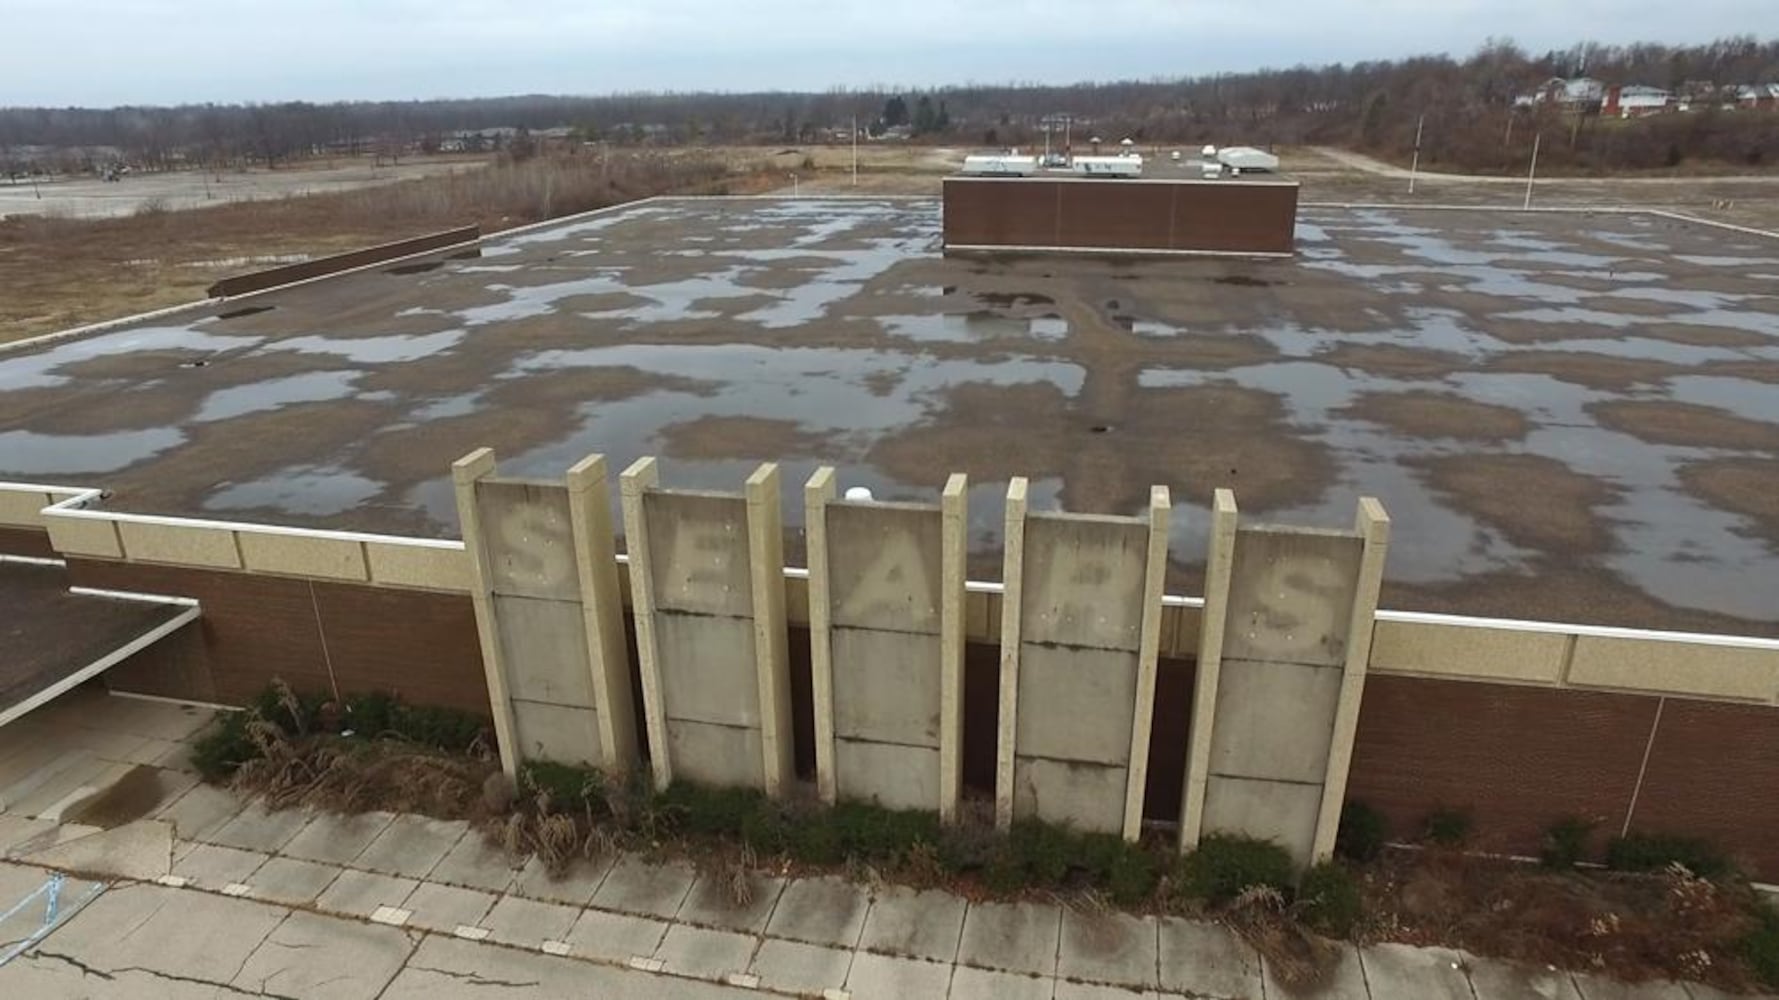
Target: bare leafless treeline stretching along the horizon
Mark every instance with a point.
(1465, 108)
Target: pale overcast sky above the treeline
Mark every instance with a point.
(111, 52)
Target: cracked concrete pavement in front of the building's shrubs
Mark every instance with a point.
(209, 896)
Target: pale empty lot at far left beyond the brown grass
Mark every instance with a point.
(92, 198)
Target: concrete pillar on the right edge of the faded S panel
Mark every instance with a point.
(604, 615)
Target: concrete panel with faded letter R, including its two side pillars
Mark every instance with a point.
(1079, 663)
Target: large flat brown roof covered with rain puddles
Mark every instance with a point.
(1570, 417)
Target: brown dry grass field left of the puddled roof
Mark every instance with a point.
(63, 273)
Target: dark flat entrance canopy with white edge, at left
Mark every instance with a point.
(54, 638)
